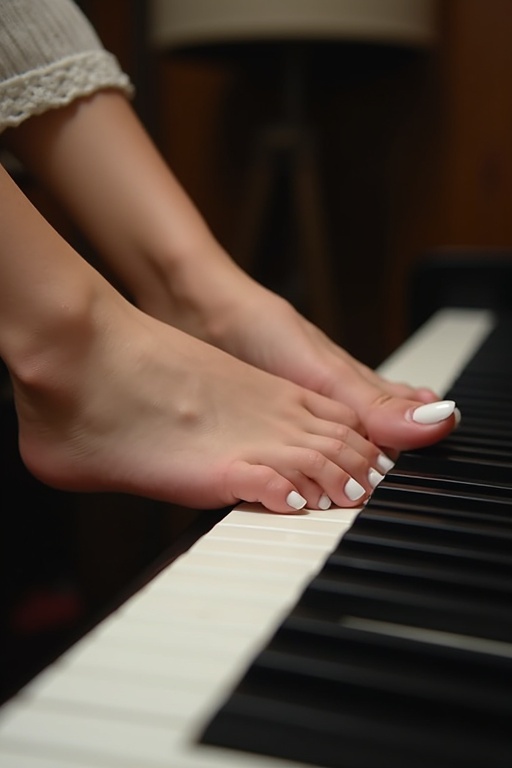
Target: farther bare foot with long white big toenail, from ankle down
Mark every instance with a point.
(267, 332)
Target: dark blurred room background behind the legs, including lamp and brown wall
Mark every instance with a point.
(407, 122)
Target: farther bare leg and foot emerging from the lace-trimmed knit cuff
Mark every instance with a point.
(96, 156)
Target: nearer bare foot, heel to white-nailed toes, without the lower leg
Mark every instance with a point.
(124, 402)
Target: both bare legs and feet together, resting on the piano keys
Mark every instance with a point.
(206, 388)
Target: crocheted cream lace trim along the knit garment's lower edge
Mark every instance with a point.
(58, 84)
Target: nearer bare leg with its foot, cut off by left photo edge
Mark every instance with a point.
(109, 398)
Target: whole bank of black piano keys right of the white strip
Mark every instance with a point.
(399, 652)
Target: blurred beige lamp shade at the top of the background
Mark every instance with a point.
(188, 23)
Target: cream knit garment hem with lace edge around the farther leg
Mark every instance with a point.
(49, 56)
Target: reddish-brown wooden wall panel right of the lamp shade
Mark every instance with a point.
(477, 107)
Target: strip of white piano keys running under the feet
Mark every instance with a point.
(136, 690)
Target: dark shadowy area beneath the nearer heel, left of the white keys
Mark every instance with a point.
(67, 560)
